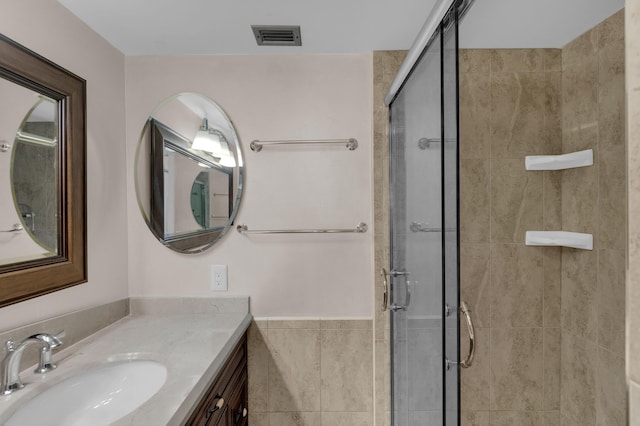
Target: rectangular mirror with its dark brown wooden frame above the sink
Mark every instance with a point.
(43, 133)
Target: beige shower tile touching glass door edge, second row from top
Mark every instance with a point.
(475, 115)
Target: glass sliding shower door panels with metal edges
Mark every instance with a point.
(424, 269)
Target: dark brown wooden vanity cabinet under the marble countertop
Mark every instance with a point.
(225, 402)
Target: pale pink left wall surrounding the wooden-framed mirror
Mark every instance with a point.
(52, 31)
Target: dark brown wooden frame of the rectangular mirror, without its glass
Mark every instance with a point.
(28, 279)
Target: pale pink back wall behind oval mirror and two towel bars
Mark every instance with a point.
(271, 97)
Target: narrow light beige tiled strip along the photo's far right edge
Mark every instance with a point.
(632, 42)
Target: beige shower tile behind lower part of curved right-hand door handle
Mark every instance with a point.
(475, 381)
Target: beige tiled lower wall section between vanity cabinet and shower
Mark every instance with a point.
(311, 372)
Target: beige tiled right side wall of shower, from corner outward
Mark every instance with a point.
(593, 389)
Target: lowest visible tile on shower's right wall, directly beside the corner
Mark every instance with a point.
(578, 380)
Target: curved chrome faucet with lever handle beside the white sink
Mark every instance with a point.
(11, 364)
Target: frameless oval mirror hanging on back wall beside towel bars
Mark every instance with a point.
(189, 173)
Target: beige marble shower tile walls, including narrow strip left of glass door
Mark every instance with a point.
(549, 321)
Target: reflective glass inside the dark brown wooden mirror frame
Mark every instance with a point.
(30, 190)
